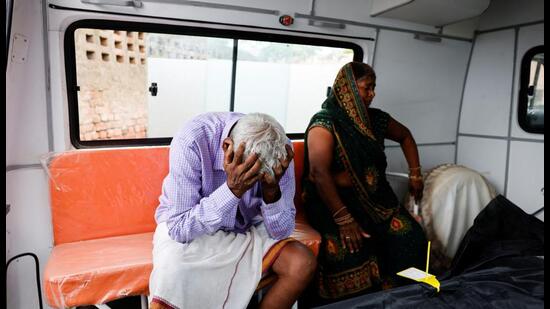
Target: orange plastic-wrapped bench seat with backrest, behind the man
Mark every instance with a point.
(103, 204)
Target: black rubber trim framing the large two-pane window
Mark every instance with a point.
(70, 66)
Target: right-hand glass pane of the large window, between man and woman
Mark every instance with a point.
(287, 81)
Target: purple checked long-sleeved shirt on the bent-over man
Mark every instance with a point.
(195, 198)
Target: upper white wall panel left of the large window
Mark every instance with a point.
(26, 124)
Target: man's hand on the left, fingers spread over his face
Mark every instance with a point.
(241, 176)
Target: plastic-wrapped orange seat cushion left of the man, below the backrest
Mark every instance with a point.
(99, 270)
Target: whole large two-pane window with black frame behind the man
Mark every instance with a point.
(138, 87)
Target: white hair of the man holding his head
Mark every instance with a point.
(263, 135)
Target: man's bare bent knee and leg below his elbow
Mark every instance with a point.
(294, 268)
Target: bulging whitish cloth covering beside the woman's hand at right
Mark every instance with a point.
(453, 196)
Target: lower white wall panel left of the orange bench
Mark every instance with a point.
(28, 229)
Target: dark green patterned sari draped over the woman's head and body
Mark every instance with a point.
(397, 240)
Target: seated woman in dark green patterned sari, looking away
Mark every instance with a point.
(367, 236)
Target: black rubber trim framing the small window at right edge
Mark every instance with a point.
(523, 99)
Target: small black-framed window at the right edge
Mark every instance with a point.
(531, 94)
